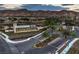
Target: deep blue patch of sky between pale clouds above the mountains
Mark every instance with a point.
(34, 7)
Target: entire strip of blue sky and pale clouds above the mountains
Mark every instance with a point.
(73, 7)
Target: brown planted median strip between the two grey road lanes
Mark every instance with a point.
(45, 42)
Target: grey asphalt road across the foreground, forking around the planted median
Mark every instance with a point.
(27, 47)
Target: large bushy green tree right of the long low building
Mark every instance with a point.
(52, 22)
